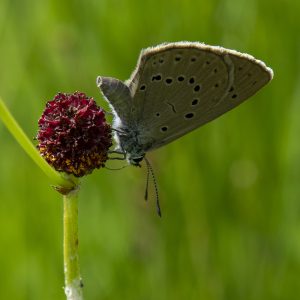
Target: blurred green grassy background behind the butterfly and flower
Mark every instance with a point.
(230, 191)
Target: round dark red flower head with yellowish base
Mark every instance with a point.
(73, 134)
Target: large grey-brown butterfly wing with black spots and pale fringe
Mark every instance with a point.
(178, 87)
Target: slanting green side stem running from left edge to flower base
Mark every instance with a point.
(56, 178)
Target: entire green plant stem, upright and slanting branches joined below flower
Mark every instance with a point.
(65, 184)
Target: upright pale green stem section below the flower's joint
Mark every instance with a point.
(73, 284)
